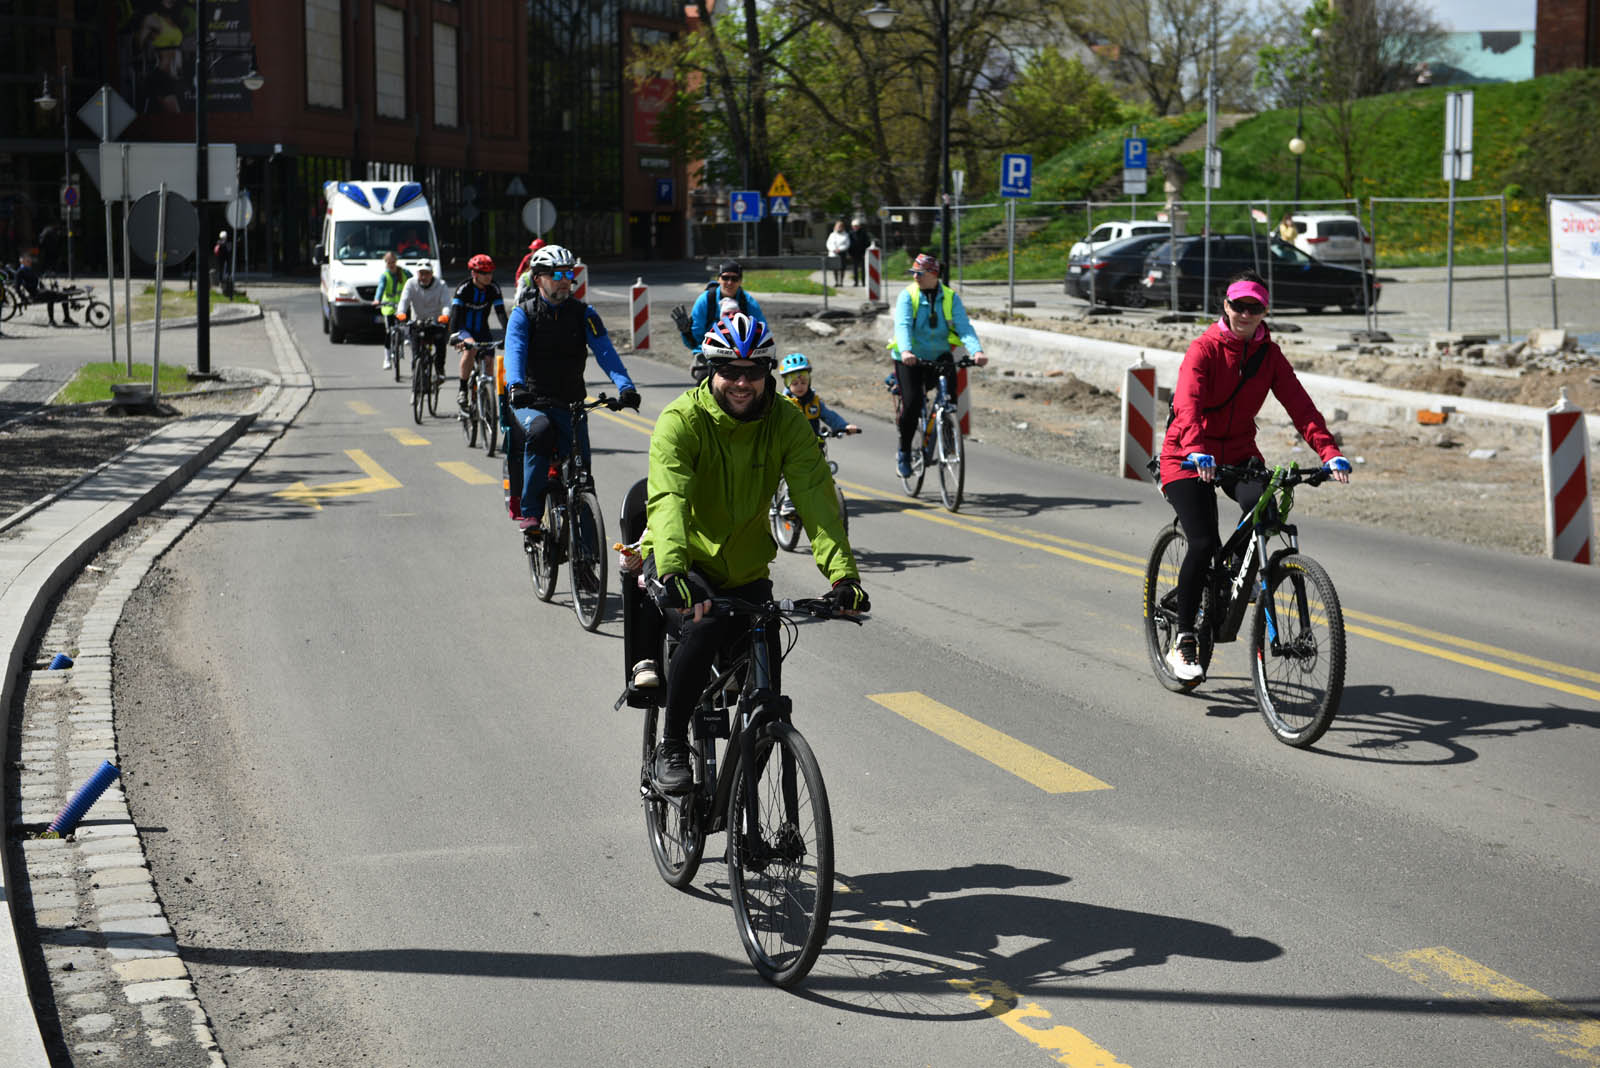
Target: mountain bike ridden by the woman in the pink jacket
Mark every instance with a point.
(1297, 637)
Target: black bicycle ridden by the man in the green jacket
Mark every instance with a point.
(769, 797)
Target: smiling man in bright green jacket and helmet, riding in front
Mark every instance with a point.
(716, 458)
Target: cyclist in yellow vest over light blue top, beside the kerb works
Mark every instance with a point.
(929, 324)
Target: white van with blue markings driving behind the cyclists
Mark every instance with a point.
(362, 223)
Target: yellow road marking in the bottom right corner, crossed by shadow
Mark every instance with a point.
(1449, 974)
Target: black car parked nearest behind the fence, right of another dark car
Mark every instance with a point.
(1294, 277)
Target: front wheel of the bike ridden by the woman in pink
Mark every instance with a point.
(1297, 652)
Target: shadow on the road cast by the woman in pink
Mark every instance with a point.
(1380, 725)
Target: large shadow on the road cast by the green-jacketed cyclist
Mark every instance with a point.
(922, 946)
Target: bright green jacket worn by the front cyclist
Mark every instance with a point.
(713, 480)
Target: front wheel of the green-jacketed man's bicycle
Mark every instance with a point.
(782, 879)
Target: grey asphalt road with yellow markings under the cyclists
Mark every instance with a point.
(438, 848)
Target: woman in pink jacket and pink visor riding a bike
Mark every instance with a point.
(1222, 385)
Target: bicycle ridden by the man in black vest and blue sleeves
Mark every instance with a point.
(572, 530)
